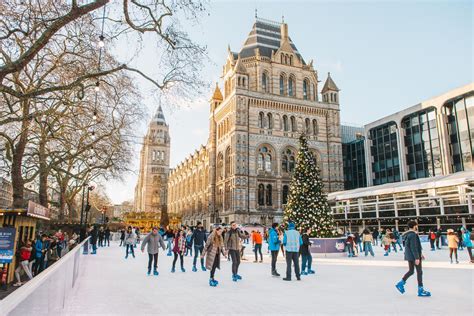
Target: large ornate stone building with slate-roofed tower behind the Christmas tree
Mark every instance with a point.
(270, 98)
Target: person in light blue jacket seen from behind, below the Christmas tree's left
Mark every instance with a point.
(292, 242)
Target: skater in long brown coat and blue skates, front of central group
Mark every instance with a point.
(212, 250)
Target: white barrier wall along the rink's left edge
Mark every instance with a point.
(46, 294)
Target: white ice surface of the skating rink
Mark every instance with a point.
(111, 285)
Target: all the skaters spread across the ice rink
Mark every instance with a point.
(230, 242)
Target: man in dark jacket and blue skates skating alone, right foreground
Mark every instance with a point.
(414, 257)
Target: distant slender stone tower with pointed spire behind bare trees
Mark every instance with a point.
(151, 188)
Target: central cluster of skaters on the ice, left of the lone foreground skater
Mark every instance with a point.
(227, 242)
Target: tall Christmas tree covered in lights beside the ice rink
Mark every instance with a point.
(307, 204)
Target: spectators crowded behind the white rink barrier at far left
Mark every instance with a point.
(34, 256)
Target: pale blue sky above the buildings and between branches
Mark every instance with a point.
(384, 56)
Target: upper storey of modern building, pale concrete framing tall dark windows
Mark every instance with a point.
(432, 138)
